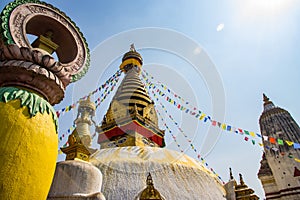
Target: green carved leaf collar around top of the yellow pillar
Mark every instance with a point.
(33, 102)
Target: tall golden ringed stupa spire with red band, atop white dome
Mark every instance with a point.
(131, 119)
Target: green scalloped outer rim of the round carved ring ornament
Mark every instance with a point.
(7, 37)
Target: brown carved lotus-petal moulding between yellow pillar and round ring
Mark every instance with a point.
(34, 70)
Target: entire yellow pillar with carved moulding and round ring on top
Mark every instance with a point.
(31, 80)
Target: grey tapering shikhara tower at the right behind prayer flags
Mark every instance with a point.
(279, 172)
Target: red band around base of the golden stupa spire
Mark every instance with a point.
(132, 126)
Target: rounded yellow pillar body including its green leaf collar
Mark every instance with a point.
(28, 145)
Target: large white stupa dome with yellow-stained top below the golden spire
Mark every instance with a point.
(175, 175)
